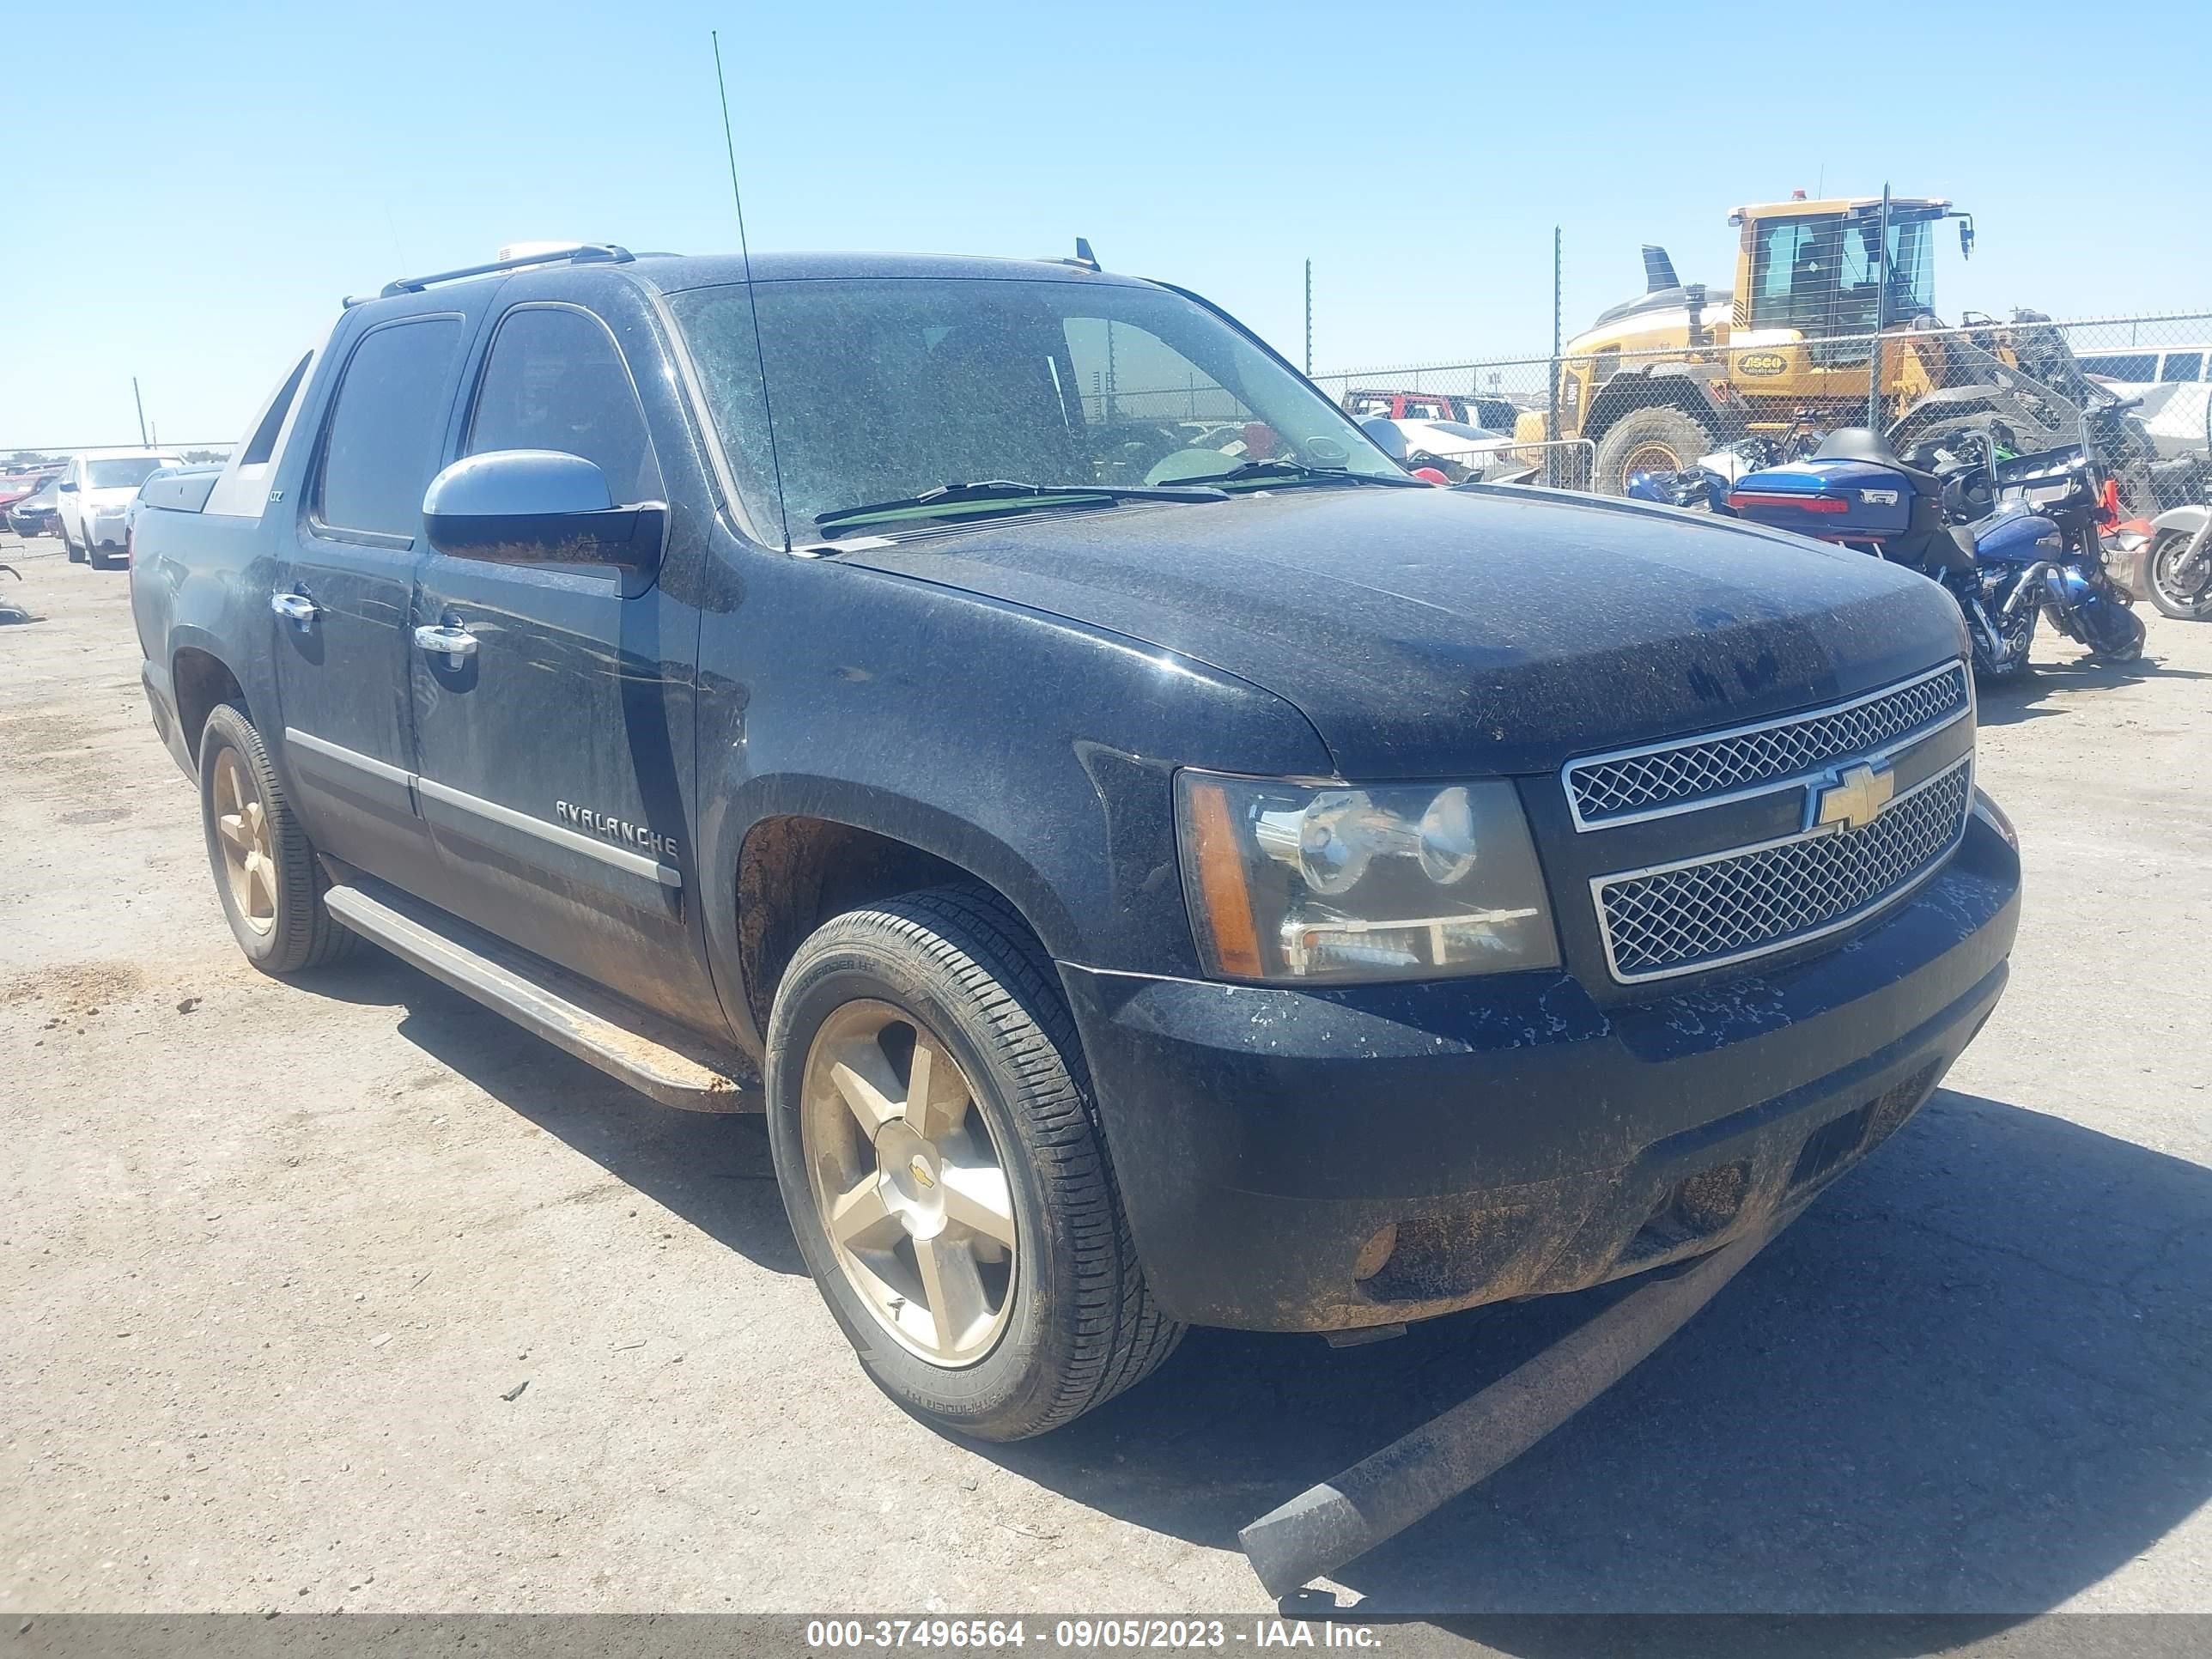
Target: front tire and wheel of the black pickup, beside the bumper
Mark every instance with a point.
(948, 1180)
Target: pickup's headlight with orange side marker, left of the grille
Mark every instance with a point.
(1328, 884)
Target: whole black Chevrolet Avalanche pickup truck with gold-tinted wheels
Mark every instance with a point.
(1154, 862)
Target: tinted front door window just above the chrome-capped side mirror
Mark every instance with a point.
(556, 382)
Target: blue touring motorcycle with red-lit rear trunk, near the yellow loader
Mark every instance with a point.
(2012, 539)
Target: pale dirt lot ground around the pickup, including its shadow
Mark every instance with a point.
(348, 1295)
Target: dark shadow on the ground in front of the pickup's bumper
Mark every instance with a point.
(1968, 1381)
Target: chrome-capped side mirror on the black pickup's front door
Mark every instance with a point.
(539, 508)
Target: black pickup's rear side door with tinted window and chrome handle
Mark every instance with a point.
(344, 592)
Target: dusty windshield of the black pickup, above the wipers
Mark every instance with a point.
(888, 388)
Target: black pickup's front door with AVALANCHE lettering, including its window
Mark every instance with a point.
(556, 747)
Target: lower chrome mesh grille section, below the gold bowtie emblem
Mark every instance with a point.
(1753, 901)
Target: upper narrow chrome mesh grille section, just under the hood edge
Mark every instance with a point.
(1605, 791)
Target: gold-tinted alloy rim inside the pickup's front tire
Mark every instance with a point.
(908, 1185)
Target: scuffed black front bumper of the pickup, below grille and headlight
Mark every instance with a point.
(1516, 1136)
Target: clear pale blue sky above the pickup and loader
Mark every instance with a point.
(213, 180)
